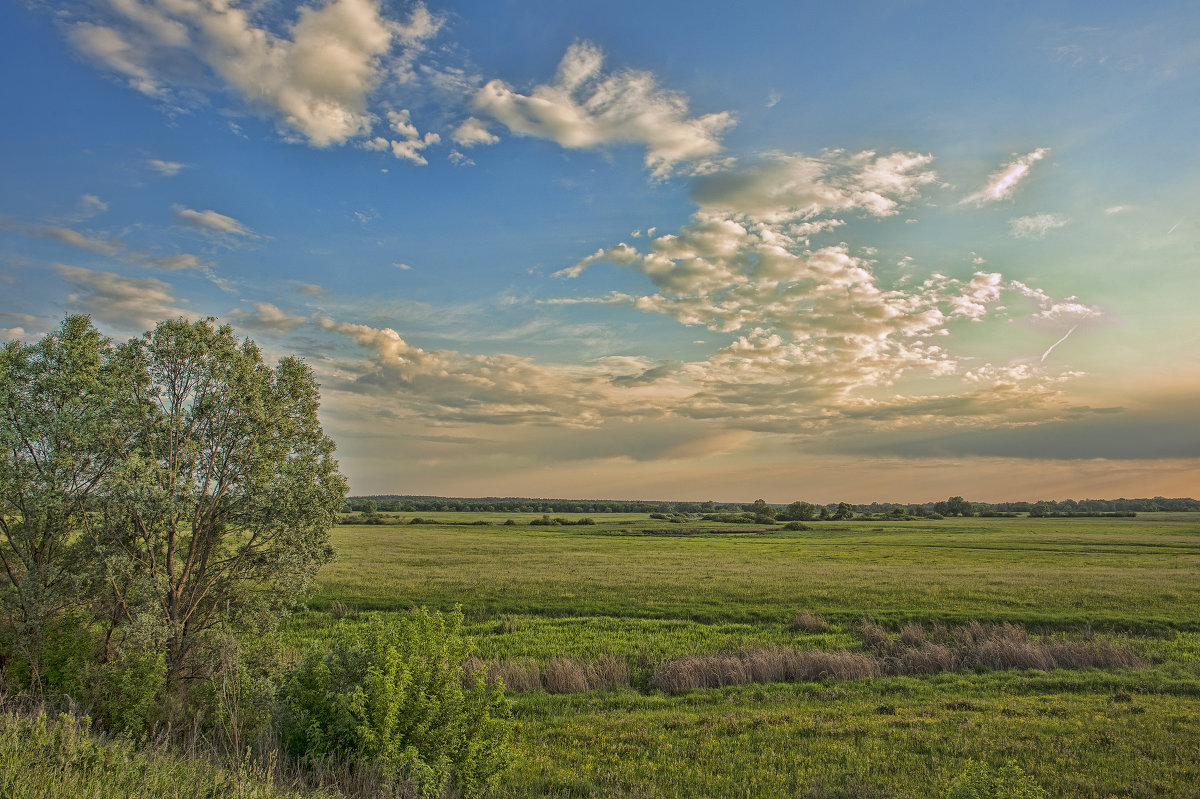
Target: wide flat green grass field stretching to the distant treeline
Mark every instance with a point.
(647, 592)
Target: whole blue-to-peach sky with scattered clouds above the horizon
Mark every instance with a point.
(863, 251)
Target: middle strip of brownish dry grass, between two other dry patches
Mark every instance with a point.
(764, 665)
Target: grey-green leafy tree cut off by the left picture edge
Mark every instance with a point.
(62, 434)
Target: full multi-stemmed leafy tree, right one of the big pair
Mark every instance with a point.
(220, 515)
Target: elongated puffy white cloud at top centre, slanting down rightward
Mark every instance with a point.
(586, 109)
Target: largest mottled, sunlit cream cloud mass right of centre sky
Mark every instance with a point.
(818, 333)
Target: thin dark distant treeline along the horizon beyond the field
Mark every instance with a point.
(952, 507)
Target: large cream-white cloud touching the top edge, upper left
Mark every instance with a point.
(316, 80)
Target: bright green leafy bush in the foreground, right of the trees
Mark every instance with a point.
(394, 695)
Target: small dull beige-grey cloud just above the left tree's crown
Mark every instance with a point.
(124, 303)
